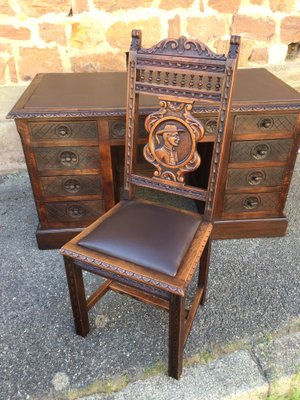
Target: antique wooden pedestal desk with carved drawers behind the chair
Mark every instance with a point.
(72, 130)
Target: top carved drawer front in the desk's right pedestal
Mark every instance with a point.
(244, 124)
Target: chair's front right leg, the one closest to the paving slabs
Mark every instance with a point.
(176, 335)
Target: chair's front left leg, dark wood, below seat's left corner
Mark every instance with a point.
(77, 297)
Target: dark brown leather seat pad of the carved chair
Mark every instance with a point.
(147, 234)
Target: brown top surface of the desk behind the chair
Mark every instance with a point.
(104, 94)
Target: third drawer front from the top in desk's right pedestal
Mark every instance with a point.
(240, 177)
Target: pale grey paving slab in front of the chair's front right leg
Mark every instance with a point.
(233, 375)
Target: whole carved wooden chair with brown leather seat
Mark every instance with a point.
(147, 250)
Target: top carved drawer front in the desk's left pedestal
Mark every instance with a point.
(80, 130)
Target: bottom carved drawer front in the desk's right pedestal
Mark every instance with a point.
(245, 203)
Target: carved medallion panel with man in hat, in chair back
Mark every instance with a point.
(173, 137)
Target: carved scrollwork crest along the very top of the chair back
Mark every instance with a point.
(182, 46)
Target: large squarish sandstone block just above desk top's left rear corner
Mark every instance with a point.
(35, 60)
